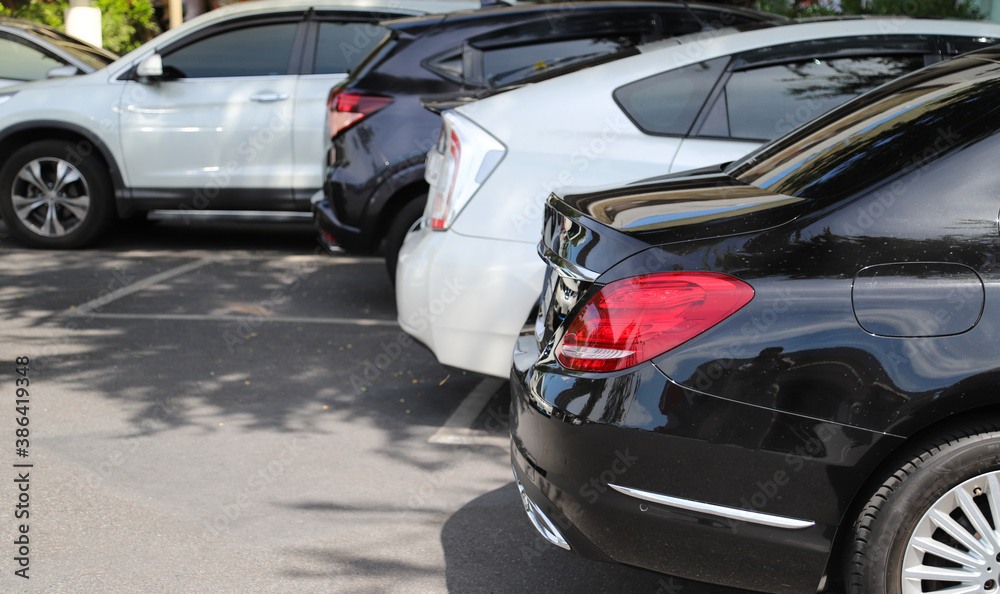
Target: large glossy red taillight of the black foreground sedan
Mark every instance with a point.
(635, 319)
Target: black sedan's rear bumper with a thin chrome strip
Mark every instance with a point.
(711, 459)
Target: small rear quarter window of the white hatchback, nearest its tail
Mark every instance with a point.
(668, 103)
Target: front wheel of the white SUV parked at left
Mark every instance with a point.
(52, 197)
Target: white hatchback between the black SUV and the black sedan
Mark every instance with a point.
(676, 106)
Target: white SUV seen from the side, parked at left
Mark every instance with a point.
(223, 112)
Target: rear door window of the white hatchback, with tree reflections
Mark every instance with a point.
(765, 102)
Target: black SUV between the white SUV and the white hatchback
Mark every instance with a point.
(380, 133)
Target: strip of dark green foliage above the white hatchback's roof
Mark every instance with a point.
(962, 9)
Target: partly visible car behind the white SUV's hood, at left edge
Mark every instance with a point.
(32, 51)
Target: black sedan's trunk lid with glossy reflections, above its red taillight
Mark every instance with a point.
(585, 235)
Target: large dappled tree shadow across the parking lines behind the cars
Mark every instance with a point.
(245, 371)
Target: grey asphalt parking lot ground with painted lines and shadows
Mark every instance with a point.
(214, 405)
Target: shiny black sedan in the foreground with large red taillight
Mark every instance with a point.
(784, 372)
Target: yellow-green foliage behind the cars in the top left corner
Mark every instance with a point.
(125, 24)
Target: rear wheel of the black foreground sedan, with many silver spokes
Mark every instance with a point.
(935, 516)
